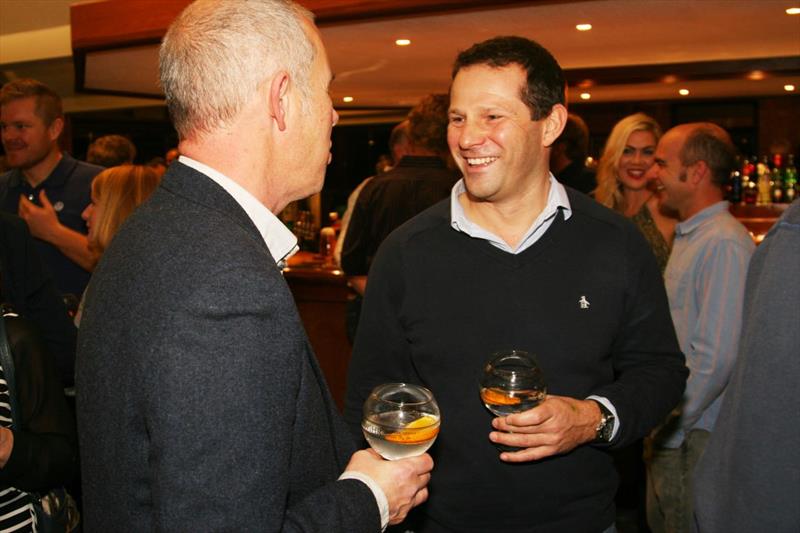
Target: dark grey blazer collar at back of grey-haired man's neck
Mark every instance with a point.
(198, 188)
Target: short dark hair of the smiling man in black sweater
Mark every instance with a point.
(546, 85)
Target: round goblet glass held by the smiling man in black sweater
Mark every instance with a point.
(512, 382)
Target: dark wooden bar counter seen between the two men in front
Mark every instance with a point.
(321, 293)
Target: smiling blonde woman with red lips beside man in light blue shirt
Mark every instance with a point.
(622, 182)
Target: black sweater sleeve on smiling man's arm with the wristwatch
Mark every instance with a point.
(650, 368)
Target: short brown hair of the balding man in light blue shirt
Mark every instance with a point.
(712, 144)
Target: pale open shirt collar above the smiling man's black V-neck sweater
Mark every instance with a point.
(556, 199)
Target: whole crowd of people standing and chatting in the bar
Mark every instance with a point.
(153, 293)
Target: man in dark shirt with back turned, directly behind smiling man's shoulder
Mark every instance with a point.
(419, 180)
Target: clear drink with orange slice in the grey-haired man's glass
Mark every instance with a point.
(400, 434)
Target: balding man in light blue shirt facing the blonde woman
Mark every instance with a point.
(705, 279)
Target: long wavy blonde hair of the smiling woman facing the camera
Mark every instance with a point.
(608, 190)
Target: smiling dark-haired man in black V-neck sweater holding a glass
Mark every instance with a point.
(512, 260)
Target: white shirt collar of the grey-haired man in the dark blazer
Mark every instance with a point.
(281, 242)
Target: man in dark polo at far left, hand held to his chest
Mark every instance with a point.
(46, 187)
